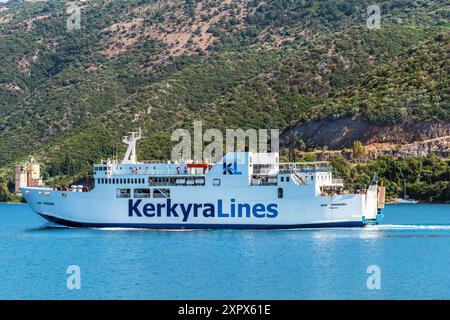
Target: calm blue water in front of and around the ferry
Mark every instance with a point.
(412, 249)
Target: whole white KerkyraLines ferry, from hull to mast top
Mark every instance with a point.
(244, 190)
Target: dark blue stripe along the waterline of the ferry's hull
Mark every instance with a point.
(345, 224)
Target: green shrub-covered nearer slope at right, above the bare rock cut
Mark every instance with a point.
(415, 85)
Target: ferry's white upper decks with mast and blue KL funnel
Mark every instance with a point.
(234, 169)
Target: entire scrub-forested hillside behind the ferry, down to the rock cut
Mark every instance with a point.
(67, 96)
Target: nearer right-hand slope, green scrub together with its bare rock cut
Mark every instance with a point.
(405, 100)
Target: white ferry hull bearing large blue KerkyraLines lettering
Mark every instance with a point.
(296, 210)
